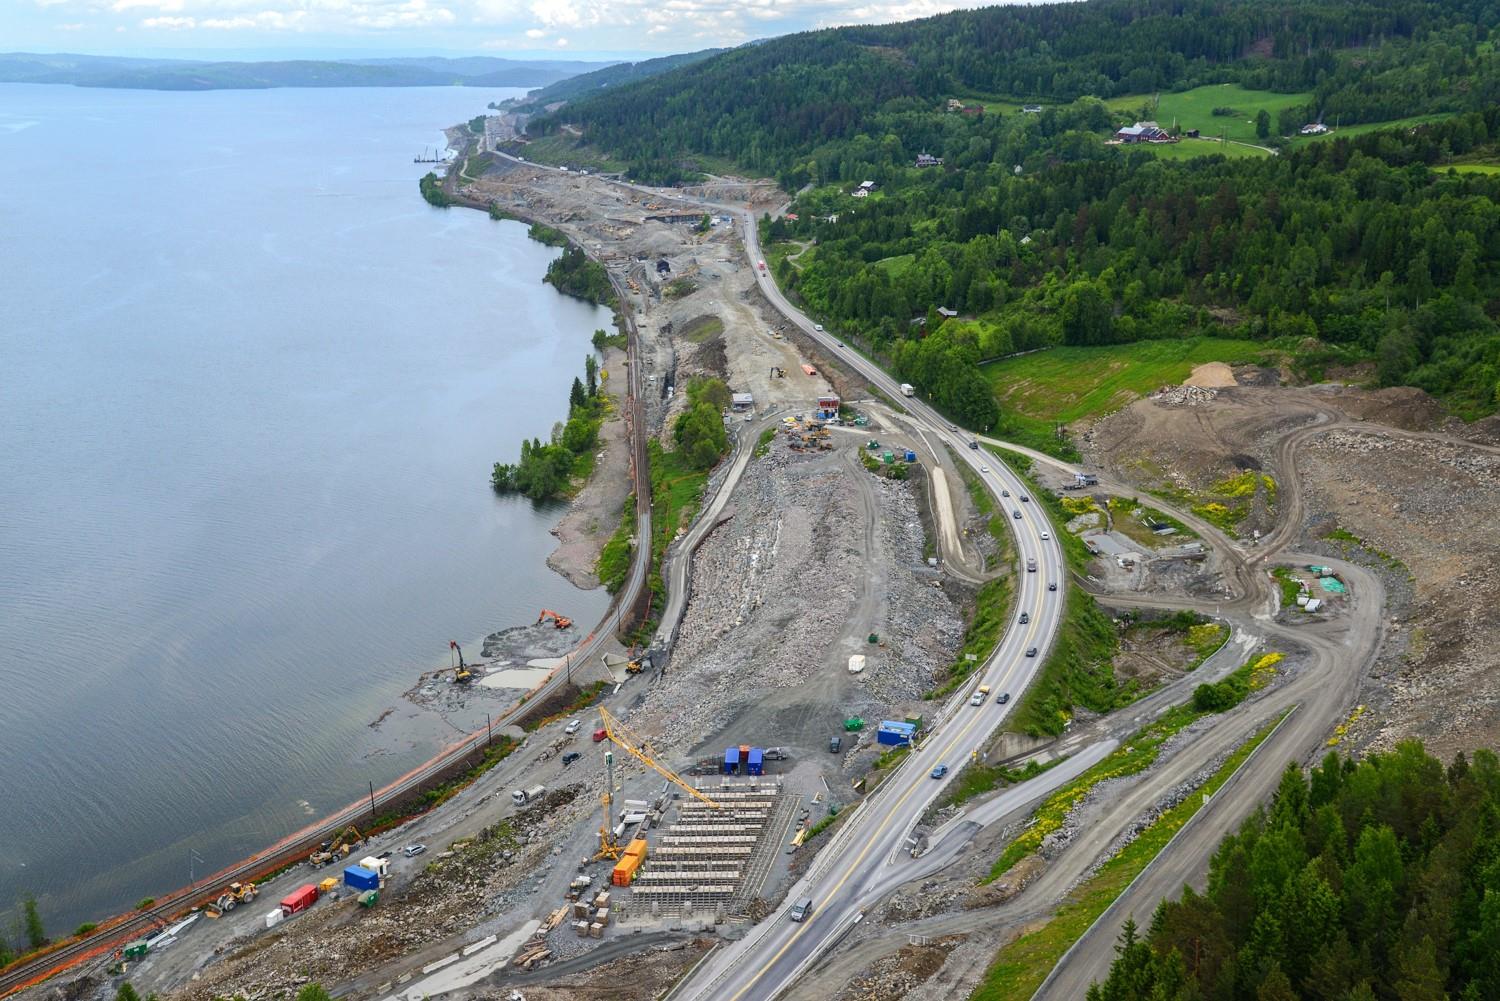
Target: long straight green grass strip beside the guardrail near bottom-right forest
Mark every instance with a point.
(1022, 966)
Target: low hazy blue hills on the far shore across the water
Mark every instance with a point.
(158, 74)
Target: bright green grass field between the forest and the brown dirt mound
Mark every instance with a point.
(1072, 383)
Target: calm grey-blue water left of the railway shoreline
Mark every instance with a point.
(251, 386)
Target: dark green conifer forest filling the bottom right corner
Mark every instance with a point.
(1366, 882)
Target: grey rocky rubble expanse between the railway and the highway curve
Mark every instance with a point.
(818, 556)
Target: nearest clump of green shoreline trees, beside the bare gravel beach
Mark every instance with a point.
(550, 470)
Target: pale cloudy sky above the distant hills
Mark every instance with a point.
(332, 29)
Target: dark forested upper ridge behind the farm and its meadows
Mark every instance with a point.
(769, 106)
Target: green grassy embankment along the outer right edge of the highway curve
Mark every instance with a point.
(1081, 667)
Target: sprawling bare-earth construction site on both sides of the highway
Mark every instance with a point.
(832, 582)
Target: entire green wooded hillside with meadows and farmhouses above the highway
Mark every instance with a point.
(1039, 232)
